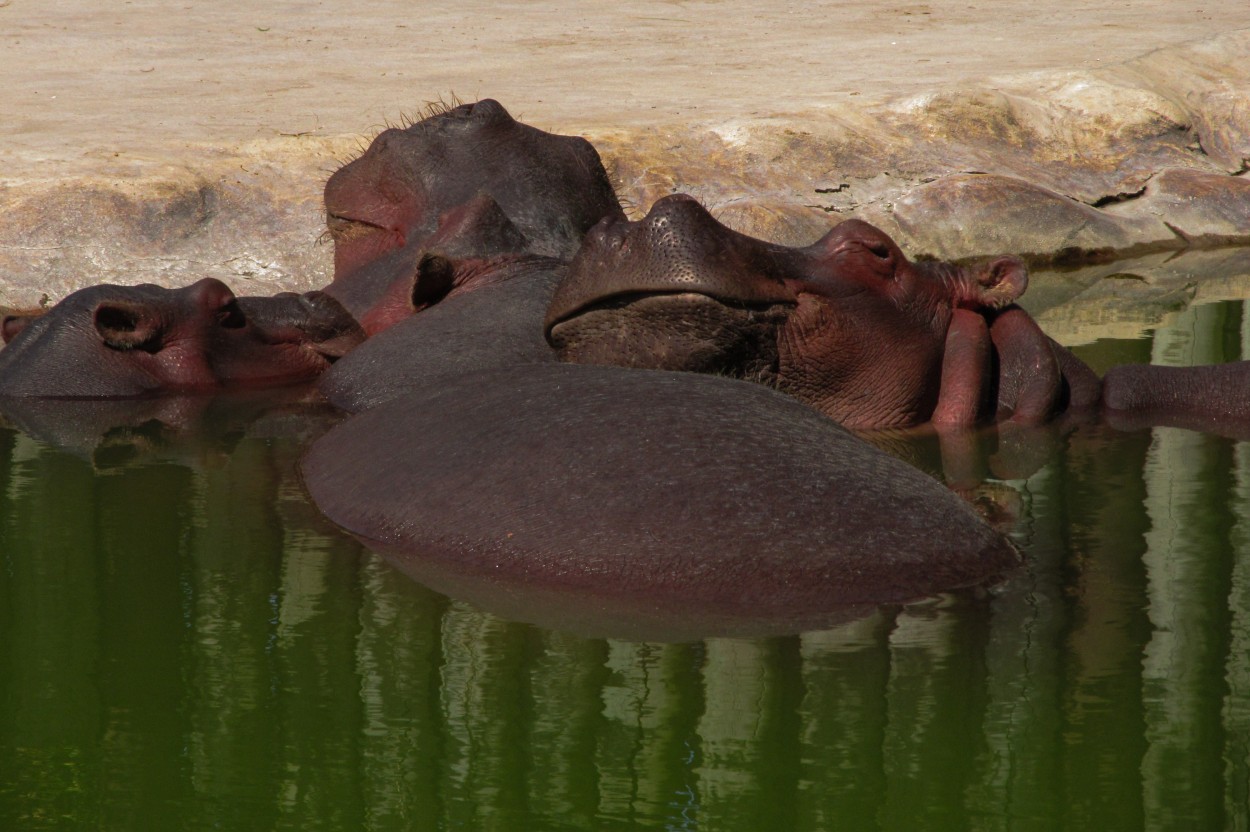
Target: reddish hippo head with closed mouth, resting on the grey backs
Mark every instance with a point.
(847, 324)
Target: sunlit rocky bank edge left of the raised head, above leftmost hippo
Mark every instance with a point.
(252, 220)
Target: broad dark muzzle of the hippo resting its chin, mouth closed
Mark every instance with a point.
(676, 290)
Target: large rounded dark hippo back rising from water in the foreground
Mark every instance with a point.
(712, 497)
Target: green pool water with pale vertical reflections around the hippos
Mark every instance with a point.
(184, 645)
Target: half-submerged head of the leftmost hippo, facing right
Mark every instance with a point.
(127, 342)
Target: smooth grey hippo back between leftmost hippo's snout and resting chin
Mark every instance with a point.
(499, 325)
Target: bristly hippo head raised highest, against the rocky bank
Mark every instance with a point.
(552, 188)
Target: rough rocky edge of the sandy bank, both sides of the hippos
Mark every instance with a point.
(1062, 168)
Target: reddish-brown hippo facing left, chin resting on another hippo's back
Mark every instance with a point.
(853, 328)
